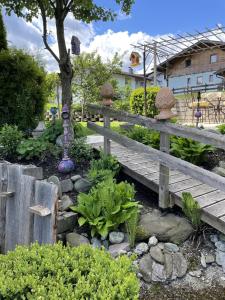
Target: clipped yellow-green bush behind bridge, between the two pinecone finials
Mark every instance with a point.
(137, 101)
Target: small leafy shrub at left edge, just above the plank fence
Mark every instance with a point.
(10, 138)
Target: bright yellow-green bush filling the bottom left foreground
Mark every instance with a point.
(50, 272)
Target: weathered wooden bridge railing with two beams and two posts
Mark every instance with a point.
(166, 160)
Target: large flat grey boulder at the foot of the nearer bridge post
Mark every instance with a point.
(169, 228)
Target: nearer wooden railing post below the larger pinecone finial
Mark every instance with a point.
(164, 197)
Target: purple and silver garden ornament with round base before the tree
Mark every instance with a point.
(66, 165)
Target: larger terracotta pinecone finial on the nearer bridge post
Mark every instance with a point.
(165, 101)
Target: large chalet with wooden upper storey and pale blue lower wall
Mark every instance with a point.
(194, 66)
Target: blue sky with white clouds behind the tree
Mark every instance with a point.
(148, 19)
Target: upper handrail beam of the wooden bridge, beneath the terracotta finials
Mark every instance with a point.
(203, 136)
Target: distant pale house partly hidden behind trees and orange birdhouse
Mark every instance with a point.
(131, 79)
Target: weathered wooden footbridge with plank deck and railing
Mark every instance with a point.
(167, 175)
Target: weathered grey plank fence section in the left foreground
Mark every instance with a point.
(27, 207)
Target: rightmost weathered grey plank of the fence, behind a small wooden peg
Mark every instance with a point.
(45, 227)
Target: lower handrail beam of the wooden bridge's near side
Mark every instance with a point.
(187, 168)
